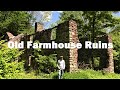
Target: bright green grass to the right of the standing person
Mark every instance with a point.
(90, 74)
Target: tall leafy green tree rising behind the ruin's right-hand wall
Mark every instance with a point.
(98, 21)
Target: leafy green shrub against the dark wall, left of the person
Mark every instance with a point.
(44, 63)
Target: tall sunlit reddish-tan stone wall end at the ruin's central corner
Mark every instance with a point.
(73, 58)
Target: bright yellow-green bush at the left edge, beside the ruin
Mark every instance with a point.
(9, 64)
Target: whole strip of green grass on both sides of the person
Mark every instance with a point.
(81, 74)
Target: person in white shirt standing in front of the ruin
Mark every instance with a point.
(61, 67)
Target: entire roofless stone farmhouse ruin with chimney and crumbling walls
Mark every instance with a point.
(66, 33)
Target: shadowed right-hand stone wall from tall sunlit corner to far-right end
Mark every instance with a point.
(106, 55)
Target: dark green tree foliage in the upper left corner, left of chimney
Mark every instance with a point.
(15, 21)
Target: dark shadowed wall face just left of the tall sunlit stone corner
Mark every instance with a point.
(62, 36)
